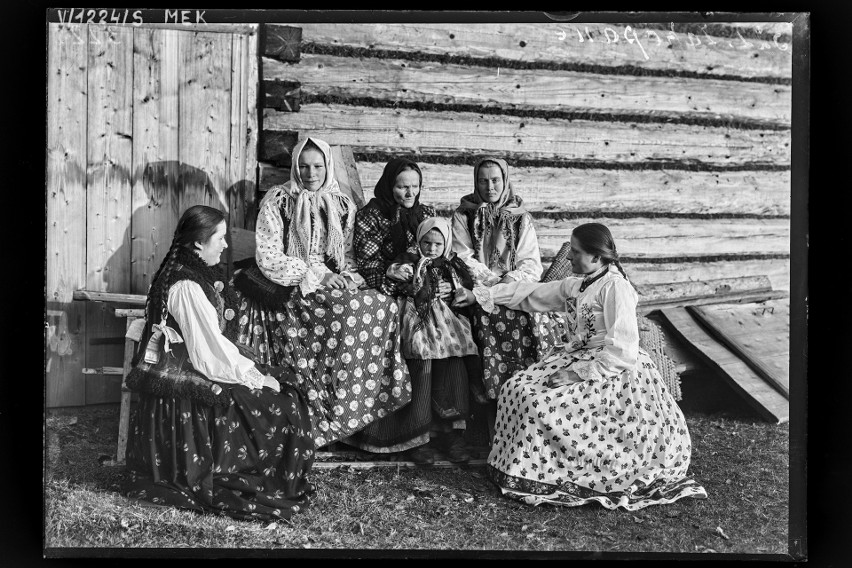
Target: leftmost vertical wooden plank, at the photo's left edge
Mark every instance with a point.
(66, 214)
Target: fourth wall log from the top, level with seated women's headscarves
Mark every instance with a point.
(573, 189)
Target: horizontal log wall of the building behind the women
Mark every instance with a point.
(675, 136)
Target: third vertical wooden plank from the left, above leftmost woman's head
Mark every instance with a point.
(156, 170)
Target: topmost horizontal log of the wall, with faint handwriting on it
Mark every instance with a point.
(598, 47)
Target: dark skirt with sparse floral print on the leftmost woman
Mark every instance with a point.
(249, 460)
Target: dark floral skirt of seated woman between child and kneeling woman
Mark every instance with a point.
(511, 340)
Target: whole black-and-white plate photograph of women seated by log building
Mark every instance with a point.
(425, 284)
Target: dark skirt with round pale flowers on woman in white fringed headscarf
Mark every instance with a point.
(344, 348)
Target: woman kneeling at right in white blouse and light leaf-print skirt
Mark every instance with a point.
(593, 420)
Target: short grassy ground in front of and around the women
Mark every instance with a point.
(742, 463)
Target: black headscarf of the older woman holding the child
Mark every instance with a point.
(402, 220)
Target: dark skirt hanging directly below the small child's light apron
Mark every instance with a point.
(440, 393)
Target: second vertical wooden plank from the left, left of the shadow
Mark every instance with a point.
(108, 195)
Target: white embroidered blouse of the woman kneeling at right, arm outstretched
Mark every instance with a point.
(602, 331)
